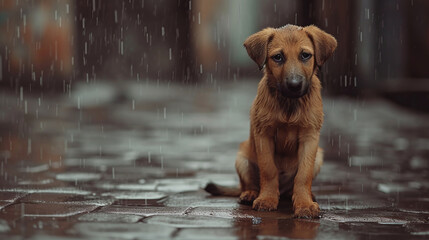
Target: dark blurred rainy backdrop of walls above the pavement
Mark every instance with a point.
(48, 46)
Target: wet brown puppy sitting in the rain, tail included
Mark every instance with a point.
(282, 154)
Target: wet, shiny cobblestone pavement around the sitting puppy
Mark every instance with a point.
(129, 161)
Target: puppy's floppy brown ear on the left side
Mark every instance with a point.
(256, 46)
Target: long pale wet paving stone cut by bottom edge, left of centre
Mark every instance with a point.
(96, 230)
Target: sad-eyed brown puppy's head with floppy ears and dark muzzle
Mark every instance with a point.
(291, 56)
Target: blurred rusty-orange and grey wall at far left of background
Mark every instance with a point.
(37, 44)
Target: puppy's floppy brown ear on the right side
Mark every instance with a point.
(324, 43)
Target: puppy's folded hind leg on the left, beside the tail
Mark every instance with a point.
(248, 174)
